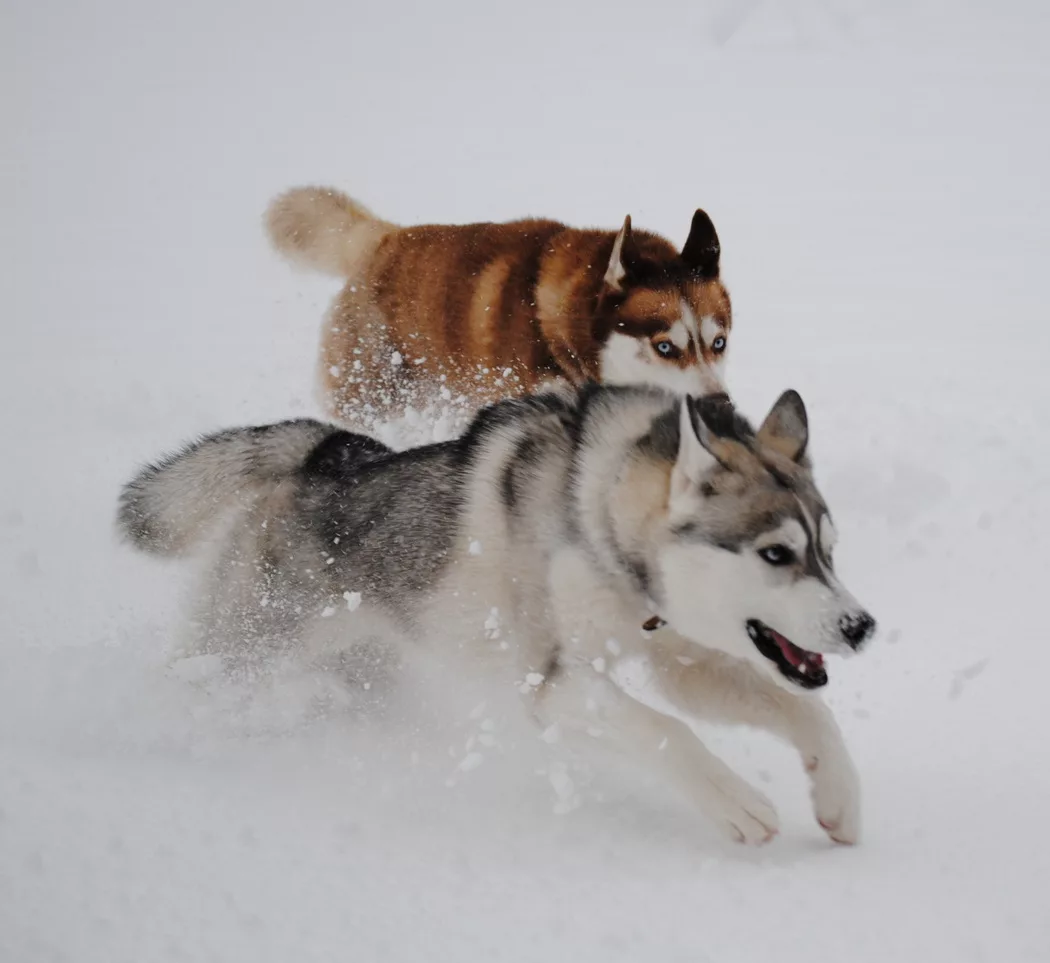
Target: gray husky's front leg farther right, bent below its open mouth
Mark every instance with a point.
(718, 688)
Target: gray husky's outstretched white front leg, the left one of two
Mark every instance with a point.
(592, 707)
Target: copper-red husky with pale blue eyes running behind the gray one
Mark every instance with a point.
(491, 310)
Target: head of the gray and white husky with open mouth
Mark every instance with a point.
(747, 568)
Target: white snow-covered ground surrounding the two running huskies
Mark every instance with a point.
(878, 173)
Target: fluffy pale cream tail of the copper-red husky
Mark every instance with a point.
(324, 229)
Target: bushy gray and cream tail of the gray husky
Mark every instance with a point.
(174, 504)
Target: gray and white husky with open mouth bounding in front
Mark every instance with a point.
(543, 541)
